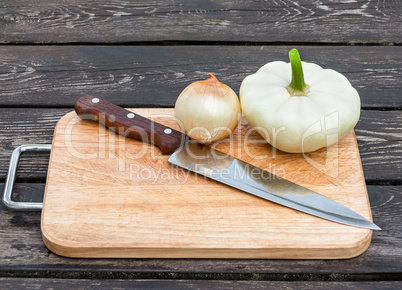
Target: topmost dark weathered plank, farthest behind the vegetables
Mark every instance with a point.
(116, 21)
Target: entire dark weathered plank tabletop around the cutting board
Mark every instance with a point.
(142, 54)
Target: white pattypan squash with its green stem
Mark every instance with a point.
(299, 107)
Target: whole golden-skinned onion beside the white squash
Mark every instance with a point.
(208, 110)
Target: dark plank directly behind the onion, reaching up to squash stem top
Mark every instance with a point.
(153, 76)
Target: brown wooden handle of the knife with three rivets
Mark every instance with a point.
(128, 124)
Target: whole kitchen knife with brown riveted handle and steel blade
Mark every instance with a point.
(216, 165)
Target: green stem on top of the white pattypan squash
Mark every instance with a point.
(297, 86)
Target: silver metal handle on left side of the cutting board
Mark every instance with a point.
(12, 170)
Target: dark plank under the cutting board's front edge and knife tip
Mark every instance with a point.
(22, 252)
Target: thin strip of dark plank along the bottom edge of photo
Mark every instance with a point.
(67, 284)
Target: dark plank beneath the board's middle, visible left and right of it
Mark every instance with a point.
(378, 133)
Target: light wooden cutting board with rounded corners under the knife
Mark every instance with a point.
(108, 196)
